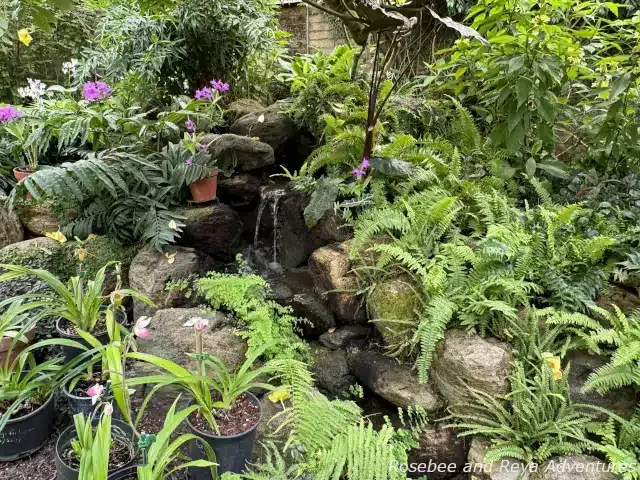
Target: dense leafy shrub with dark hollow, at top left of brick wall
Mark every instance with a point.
(191, 42)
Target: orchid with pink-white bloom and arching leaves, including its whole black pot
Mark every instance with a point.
(227, 413)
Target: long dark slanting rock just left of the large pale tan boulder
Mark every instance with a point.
(393, 382)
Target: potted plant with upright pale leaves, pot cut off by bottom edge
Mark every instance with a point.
(88, 452)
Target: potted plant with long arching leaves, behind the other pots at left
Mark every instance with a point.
(77, 306)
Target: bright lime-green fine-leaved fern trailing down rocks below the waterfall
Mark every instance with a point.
(267, 322)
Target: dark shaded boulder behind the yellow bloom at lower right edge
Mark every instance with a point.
(621, 401)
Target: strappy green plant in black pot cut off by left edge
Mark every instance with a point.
(26, 395)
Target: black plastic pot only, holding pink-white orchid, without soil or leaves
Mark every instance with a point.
(232, 453)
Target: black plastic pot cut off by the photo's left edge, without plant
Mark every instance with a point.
(25, 435)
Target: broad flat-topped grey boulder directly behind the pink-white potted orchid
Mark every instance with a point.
(171, 339)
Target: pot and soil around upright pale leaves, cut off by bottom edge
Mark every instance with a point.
(121, 454)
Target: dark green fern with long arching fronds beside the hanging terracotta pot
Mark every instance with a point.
(123, 193)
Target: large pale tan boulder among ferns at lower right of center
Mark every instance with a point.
(466, 359)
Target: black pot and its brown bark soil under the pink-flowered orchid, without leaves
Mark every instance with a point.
(234, 444)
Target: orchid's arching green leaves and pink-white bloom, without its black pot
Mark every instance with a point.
(213, 387)
